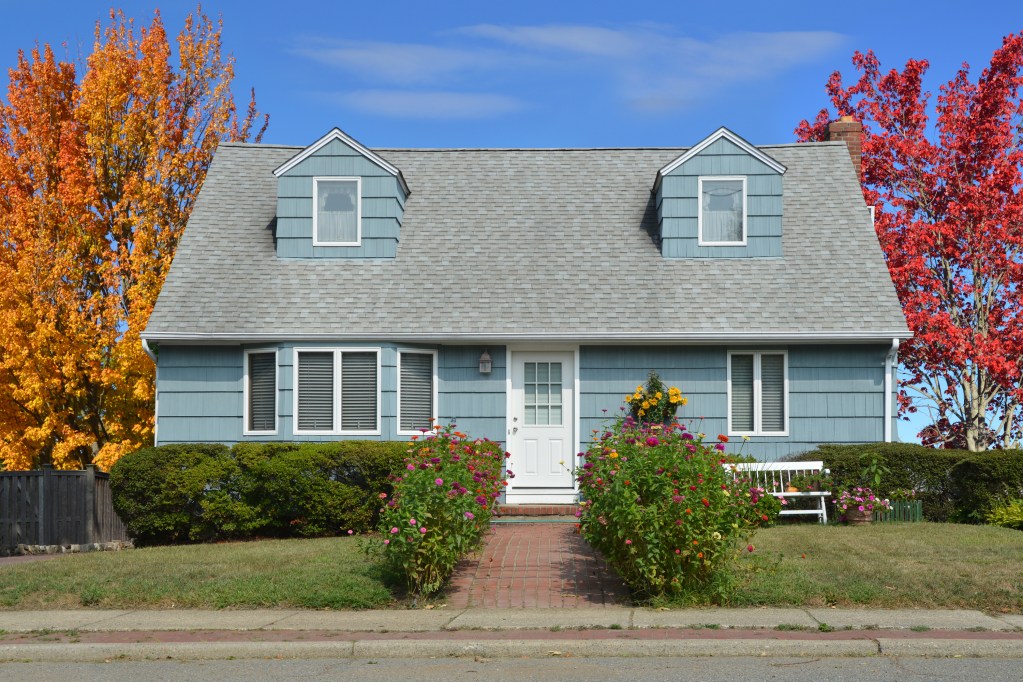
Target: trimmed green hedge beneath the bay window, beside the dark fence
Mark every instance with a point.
(203, 492)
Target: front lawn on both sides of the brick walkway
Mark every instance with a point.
(927, 566)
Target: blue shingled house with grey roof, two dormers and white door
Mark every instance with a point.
(335, 292)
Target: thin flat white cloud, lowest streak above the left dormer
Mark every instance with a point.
(430, 105)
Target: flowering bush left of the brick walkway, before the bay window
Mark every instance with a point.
(440, 508)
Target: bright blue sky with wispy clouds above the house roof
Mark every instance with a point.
(547, 74)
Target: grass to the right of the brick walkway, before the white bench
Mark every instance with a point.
(889, 566)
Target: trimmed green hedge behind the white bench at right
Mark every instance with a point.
(954, 485)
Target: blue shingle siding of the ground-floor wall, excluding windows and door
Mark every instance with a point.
(836, 393)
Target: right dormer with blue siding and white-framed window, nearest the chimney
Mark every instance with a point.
(723, 199)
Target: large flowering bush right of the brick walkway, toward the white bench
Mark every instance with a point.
(664, 512)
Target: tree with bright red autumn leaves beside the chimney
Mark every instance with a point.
(950, 218)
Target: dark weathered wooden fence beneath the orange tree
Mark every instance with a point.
(56, 508)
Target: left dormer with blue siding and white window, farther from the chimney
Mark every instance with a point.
(336, 199)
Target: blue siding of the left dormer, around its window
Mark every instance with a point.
(383, 206)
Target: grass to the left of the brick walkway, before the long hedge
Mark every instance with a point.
(323, 573)
